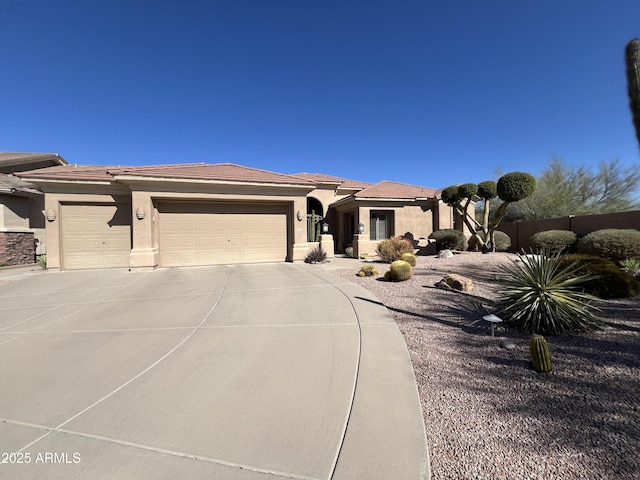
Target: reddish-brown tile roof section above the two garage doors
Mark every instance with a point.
(189, 171)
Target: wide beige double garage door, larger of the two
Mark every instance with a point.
(214, 233)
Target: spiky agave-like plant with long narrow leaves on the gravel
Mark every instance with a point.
(540, 296)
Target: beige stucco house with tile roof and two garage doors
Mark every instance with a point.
(205, 214)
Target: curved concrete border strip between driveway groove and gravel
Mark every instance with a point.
(385, 437)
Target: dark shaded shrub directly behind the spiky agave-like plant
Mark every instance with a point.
(611, 281)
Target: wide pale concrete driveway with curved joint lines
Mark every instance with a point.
(228, 372)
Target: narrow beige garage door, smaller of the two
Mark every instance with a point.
(95, 236)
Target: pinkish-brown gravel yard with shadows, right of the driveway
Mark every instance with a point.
(488, 414)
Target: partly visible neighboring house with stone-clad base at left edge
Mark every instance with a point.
(22, 225)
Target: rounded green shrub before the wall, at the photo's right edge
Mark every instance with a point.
(612, 243)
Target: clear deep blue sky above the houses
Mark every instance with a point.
(420, 92)
